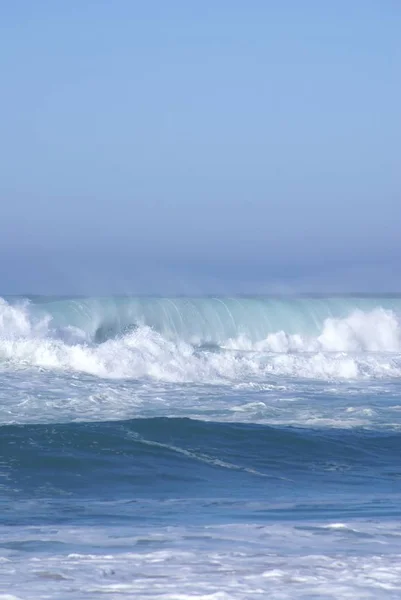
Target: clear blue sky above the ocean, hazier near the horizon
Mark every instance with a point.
(190, 147)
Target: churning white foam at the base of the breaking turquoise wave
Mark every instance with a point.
(362, 345)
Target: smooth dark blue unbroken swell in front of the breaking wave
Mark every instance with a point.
(135, 453)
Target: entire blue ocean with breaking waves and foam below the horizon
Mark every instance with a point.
(200, 448)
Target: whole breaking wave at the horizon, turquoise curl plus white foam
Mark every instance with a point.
(204, 339)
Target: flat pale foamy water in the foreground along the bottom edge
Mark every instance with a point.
(233, 562)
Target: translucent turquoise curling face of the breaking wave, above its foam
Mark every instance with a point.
(202, 320)
